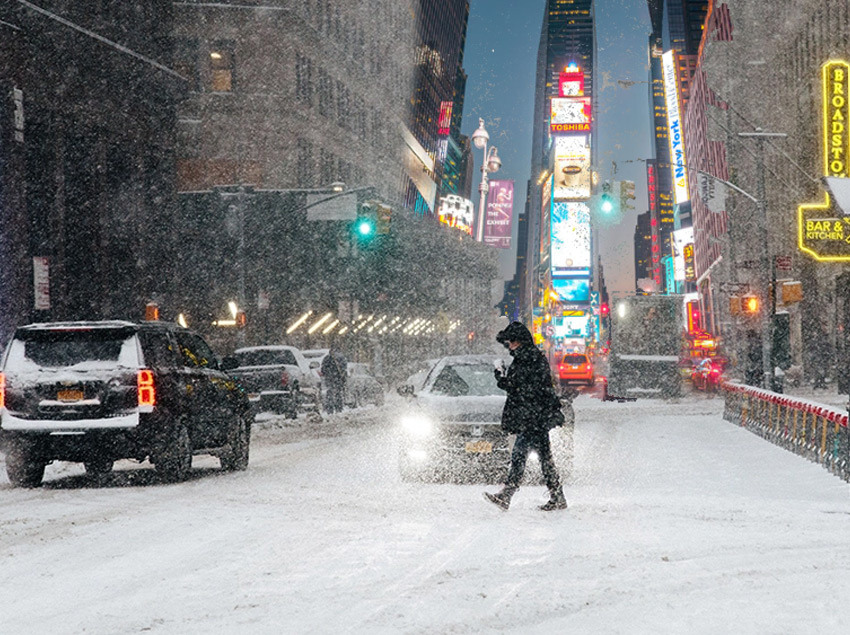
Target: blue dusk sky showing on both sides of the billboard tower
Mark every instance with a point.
(500, 59)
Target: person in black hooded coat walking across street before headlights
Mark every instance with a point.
(531, 410)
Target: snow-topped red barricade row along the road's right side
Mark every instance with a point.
(817, 432)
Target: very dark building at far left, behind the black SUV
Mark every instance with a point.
(86, 159)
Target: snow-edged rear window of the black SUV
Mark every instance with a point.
(67, 348)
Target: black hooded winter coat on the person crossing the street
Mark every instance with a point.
(532, 405)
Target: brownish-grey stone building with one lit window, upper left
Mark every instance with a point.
(294, 97)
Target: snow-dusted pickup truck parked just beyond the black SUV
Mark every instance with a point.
(278, 379)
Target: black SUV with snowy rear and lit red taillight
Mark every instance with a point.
(95, 392)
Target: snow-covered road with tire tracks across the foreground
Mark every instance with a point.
(678, 522)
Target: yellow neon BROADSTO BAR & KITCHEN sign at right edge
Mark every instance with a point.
(822, 232)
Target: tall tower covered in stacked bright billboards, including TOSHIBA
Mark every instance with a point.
(557, 273)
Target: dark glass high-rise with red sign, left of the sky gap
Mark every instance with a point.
(437, 100)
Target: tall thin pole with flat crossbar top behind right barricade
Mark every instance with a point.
(767, 271)
